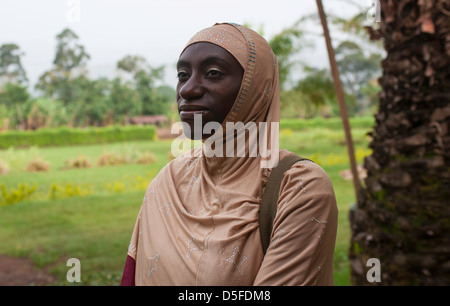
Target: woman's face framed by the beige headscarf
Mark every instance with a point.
(209, 79)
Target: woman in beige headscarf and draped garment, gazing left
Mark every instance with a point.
(198, 224)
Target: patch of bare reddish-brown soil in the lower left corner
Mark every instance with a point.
(22, 272)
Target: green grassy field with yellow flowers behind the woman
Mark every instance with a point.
(89, 213)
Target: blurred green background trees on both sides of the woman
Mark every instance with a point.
(68, 95)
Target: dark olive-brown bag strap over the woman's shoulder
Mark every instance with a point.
(268, 208)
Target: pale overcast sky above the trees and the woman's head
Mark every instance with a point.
(154, 29)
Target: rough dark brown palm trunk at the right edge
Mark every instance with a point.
(403, 212)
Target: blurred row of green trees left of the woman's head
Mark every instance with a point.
(68, 96)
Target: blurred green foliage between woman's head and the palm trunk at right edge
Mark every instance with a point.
(312, 90)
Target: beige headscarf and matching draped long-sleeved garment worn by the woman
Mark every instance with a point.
(198, 224)
